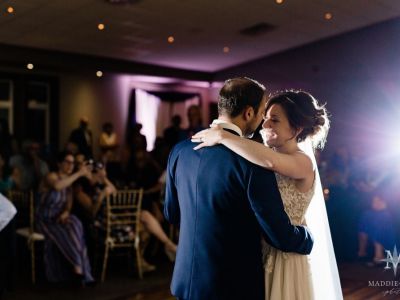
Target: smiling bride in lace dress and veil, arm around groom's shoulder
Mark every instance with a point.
(294, 125)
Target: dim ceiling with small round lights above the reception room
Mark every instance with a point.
(201, 28)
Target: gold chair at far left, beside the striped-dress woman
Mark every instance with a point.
(24, 202)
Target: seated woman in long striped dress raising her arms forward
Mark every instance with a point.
(65, 248)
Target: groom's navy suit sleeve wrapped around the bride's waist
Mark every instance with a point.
(266, 202)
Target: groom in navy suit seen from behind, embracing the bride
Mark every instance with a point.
(223, 204)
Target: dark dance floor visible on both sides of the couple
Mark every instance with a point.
(122, 284)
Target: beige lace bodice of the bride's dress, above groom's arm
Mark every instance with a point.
(294, 201)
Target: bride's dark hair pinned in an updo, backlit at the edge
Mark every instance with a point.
(304, 111)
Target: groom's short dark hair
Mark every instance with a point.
(239, 93)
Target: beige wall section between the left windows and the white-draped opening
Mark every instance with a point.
(100, 99)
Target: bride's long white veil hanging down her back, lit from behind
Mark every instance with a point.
(324, 271)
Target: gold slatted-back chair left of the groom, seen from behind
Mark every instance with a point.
(122, 212)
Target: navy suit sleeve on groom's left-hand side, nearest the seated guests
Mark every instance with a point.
(171, 206)
